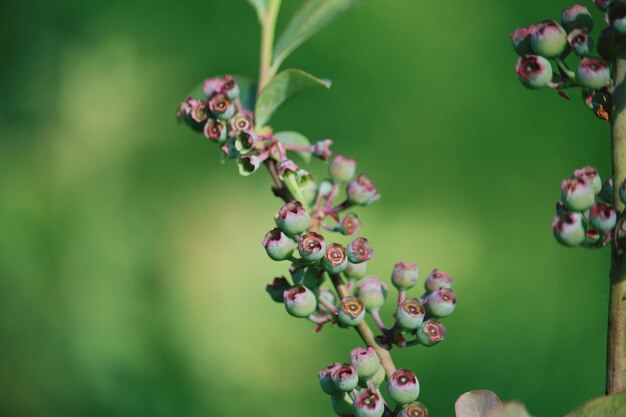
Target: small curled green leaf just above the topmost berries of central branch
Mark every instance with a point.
(280, 88)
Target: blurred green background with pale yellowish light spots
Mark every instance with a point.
(131, 271)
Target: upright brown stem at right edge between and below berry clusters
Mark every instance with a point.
(616, 344)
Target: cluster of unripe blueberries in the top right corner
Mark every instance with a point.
(550, 40)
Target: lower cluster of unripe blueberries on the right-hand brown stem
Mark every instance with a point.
(585, 215)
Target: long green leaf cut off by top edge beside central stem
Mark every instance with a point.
(306, 22)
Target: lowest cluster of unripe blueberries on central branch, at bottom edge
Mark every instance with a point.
(354, 387)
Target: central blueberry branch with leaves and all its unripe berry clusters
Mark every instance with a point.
(328, 280)
